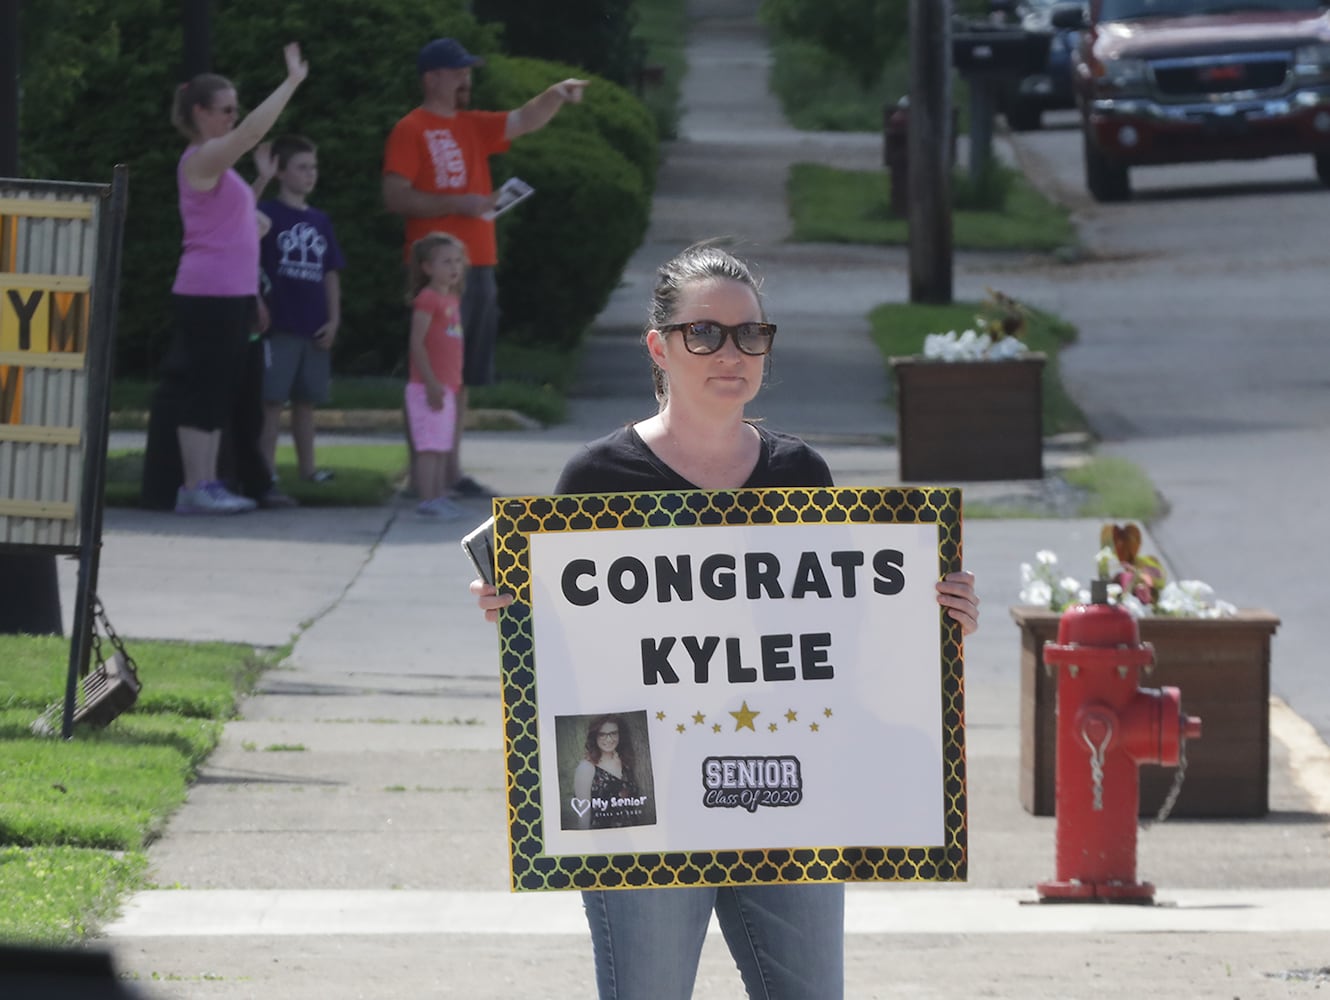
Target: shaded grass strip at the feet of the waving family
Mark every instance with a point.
(365, 475)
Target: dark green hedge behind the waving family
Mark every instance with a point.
(114, 107)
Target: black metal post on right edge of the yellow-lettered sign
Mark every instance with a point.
(102, 338)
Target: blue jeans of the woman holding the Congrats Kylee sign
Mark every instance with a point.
(787, 941)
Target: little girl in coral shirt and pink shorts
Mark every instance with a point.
(437, 268)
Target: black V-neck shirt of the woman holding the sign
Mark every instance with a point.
(622, 463)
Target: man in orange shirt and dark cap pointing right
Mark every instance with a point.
(437, 176)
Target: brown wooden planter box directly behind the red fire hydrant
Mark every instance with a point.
(1223, 668)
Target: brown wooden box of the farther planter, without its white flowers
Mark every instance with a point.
(970, 421)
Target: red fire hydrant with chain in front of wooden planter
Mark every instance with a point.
(1107, 728)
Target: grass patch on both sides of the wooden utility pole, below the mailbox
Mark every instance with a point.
(852, 207)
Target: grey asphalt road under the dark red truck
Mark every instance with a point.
(1216, 377)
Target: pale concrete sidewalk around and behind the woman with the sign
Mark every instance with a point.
(374, 865)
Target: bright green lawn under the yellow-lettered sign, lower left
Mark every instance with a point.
(76, 817)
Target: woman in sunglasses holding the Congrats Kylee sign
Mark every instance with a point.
(708, 340)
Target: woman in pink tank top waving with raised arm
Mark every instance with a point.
(216, 285)
